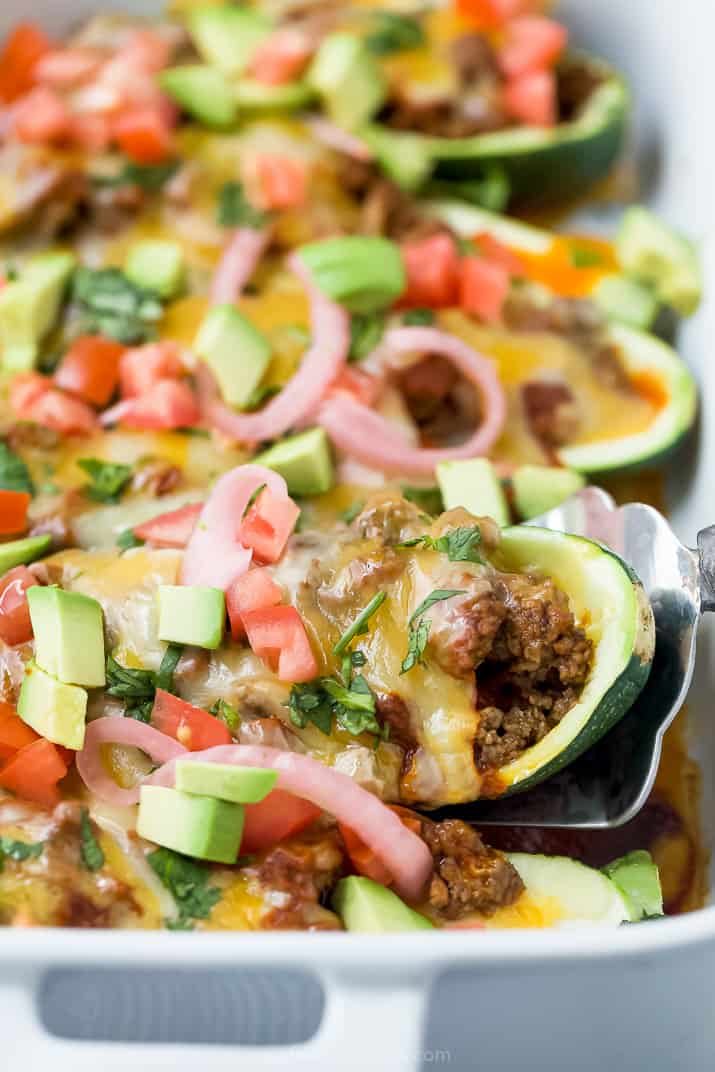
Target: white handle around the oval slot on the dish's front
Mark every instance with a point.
(368, 1023)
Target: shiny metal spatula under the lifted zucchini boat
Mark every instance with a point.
(609, 784)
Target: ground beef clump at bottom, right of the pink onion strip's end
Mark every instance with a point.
(469, 876)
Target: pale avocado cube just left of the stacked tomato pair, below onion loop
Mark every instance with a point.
(191, 615)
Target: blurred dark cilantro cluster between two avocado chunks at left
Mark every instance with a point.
(113, 306)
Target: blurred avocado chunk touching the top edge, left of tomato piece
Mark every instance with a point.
(228, 35)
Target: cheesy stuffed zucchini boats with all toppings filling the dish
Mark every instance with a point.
(273, 404)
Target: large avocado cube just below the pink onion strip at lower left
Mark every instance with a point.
(200, 827)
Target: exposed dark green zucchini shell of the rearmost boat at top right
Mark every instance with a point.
(546, 165)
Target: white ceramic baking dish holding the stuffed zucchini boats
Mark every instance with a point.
(634, 999)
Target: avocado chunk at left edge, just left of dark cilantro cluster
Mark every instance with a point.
(31, 306)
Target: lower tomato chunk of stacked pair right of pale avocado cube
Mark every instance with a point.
(278, 636)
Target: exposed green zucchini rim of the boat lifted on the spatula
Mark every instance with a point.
(610, 602)
